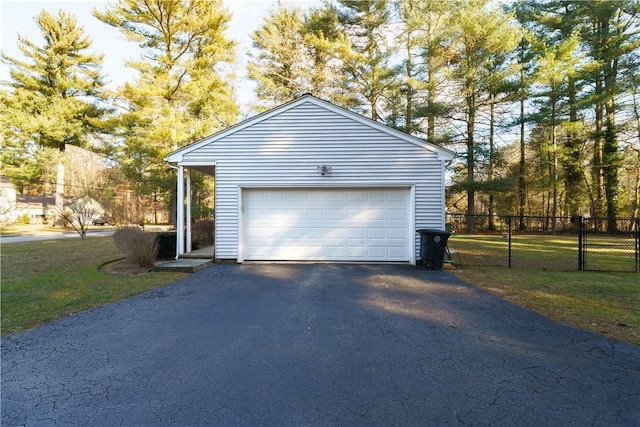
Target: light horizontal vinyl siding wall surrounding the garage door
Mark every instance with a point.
(285, 150)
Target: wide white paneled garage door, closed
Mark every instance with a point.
(326, 224)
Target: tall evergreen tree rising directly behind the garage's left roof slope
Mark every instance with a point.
(182, 92)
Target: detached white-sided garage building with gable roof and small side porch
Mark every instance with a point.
(311, 181)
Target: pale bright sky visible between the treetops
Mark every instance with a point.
(17, 17)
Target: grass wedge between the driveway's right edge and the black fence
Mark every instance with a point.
(605, 303)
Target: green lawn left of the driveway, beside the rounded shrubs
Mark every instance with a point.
(46, 280)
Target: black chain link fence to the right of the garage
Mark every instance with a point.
(550, 243)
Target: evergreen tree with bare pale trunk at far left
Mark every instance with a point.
(54, 96)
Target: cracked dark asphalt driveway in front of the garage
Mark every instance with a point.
(316, 345)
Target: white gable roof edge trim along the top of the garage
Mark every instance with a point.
(443, 153)
